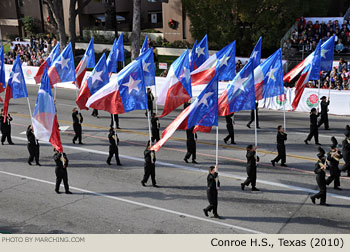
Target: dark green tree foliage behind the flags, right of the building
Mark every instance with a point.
(246, 20)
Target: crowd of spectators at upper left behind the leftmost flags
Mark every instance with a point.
(31, 53)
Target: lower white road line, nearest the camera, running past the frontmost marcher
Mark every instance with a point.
(139, 204)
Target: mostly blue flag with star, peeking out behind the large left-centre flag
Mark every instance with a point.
(149, 71)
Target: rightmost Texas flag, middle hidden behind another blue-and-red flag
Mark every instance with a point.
(327, 55)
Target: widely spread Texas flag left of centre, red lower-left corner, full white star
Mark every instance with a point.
(123, 94)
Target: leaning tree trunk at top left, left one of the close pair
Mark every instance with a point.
(56, 8)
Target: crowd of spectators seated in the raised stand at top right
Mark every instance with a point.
(308, 34)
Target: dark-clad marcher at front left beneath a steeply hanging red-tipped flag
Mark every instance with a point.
(61, 171)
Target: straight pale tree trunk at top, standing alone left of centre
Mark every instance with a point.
(136, 29)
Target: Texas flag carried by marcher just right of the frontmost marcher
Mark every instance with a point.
(239, 93)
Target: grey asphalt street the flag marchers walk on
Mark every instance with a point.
(110, 199)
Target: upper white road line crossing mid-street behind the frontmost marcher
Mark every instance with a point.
(188, 168)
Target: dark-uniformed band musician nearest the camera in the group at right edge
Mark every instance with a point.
(321, 182)
